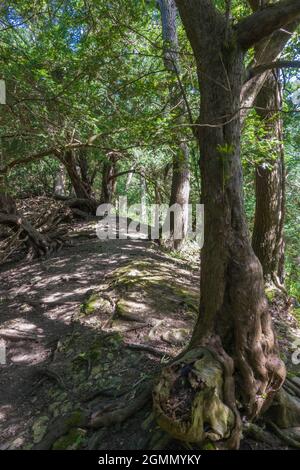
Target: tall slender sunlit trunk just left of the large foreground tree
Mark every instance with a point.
(180, 187)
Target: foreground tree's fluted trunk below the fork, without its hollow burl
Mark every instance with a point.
(232, 303)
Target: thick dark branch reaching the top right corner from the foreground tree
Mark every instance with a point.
(264, 22)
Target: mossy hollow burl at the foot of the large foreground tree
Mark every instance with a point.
(193, 402)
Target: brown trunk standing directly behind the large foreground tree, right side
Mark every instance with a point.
(267, 240)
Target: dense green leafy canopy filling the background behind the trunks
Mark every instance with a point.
(90, 75)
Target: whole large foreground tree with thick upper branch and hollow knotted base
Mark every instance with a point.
(232, 368)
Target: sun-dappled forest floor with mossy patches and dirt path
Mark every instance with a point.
(83, 329)
